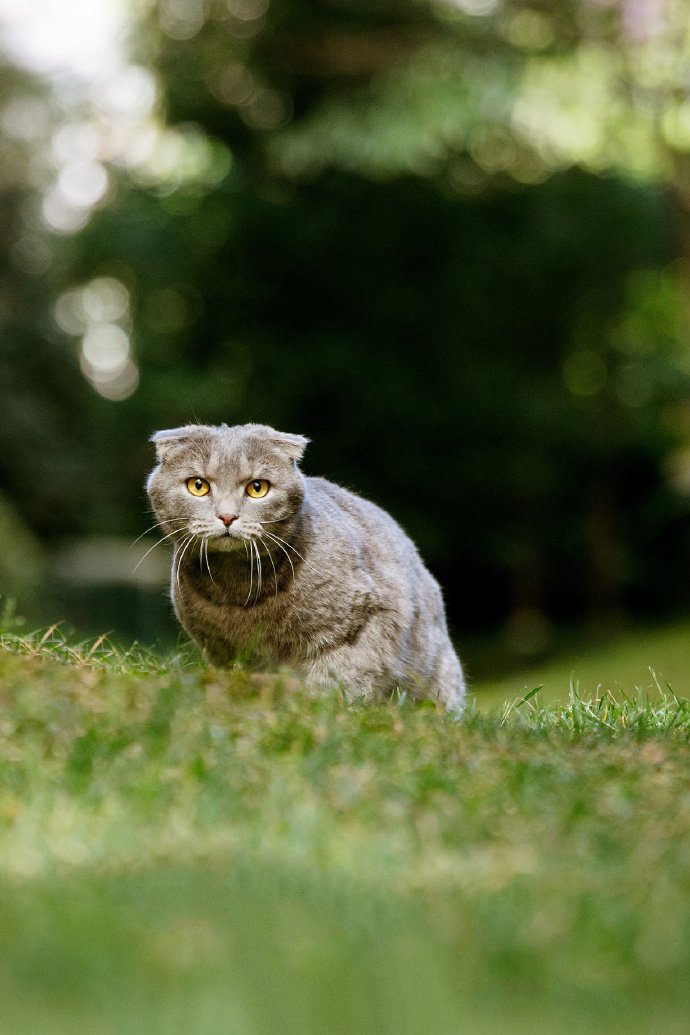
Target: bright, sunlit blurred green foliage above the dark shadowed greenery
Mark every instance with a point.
(474, 90)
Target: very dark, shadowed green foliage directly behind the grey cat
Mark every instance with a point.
(460, 352)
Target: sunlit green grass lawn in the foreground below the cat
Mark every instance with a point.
(189, 850)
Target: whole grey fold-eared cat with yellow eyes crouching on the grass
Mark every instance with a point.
(297, 569)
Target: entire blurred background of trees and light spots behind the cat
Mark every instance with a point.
(449, 242)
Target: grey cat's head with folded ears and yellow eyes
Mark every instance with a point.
(226, 485)
